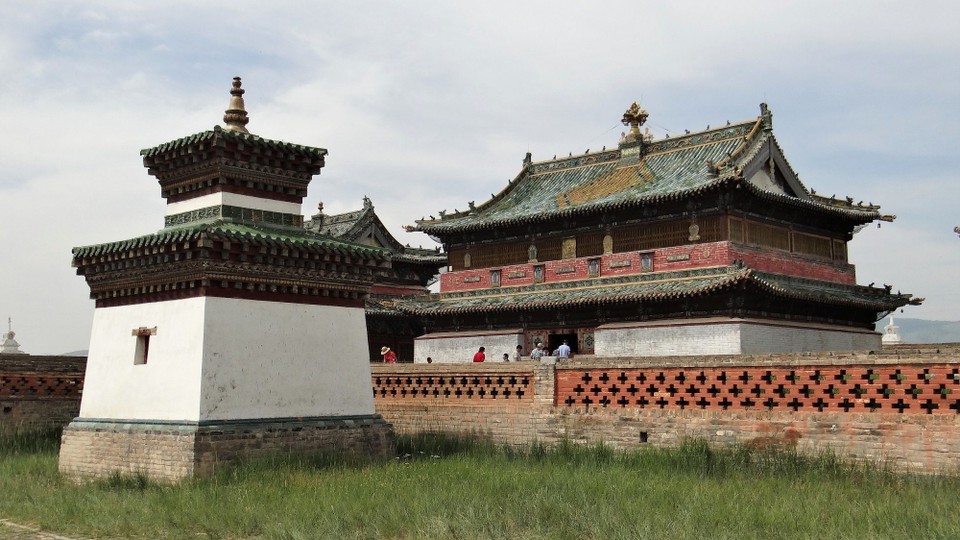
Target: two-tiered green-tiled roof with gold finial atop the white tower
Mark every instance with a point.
(226, 250)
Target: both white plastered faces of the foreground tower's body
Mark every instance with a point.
(228, 359)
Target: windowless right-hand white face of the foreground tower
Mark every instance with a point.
(275, 360)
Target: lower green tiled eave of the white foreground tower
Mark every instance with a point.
(234, 232)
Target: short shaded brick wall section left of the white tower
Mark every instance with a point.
(39, 392)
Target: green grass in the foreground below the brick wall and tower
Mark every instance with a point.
(450, 487)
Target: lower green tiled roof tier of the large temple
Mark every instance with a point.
(648, 287)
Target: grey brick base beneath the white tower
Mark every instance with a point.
(172, 451)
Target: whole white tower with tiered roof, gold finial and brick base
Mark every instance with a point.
(233, 331)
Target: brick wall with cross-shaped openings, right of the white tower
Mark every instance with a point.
(903, 408)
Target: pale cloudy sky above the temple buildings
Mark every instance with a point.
(425, 106)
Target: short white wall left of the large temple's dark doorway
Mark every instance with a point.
(459, 347)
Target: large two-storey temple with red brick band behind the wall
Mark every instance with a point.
(703, 243)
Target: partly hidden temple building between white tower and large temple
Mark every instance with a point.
(412, 271)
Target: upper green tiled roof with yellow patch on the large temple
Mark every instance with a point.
(670, 168)
